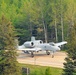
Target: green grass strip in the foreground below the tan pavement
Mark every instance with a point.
(40, 70)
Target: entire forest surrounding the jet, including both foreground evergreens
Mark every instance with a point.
(48, 20)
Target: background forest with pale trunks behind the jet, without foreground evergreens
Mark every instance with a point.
(49, 20)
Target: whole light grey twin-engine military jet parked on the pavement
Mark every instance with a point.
(38, 45)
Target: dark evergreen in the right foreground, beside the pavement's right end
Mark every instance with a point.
(70, 65)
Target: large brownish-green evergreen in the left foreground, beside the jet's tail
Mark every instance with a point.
(8, 62)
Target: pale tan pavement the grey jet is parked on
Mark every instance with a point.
(42, 59)
